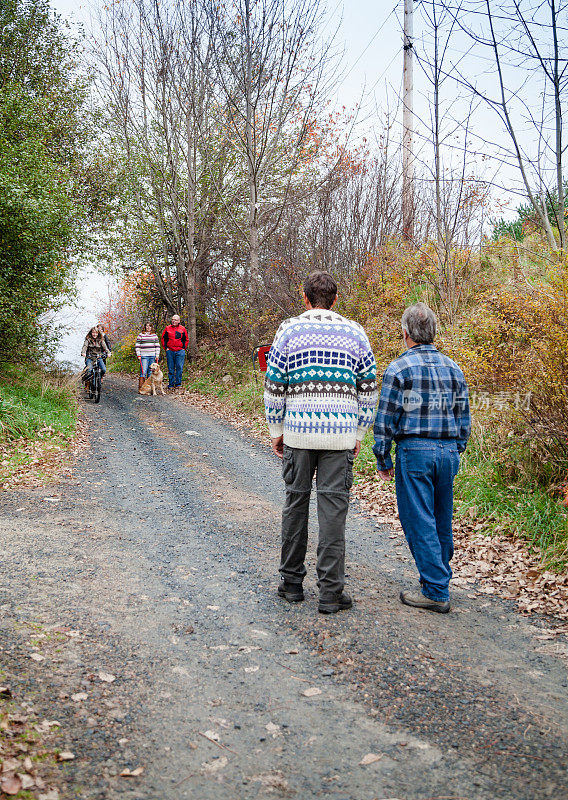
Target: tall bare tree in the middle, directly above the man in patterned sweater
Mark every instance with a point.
(271, 69)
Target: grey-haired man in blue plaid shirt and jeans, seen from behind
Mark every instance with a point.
(424, 408)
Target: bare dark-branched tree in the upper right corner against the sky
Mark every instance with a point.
(528, 87)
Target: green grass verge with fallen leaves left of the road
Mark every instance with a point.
(38, 416)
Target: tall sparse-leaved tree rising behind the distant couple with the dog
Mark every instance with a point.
(153, 61)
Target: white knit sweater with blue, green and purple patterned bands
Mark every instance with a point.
(321, 382)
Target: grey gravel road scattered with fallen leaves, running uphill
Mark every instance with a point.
(155, 561)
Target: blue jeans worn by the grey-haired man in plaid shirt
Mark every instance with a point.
(424, 472)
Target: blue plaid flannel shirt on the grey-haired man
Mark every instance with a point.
(424, 393)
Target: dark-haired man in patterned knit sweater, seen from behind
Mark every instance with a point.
(320, 396)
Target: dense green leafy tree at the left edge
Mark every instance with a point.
(41, 137)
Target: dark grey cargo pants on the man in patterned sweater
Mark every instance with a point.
(334, 479)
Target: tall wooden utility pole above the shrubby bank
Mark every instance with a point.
(407, 125)
